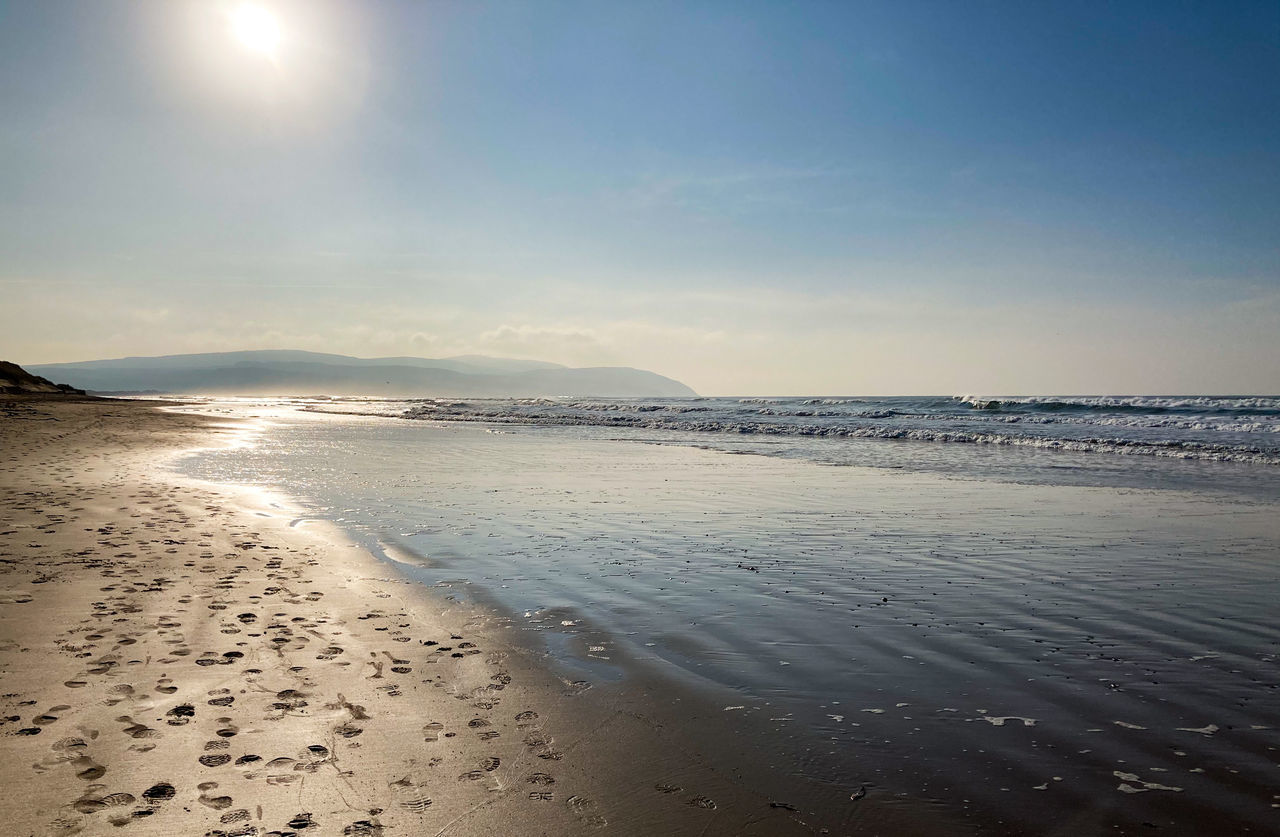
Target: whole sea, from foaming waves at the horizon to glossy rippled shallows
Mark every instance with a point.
(1053, 615)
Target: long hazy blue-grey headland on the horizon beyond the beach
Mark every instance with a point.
(294, 373)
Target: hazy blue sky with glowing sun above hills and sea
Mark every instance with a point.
(752, 198)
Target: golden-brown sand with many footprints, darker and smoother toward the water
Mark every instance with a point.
(179, 660)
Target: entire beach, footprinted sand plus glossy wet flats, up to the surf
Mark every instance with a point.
(360, 650)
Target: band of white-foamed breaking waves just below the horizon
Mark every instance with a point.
(1224, 429)
